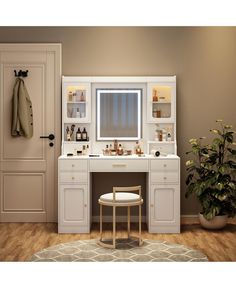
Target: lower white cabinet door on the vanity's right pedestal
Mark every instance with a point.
(164, 205)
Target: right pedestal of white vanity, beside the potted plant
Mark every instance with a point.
(164, 196)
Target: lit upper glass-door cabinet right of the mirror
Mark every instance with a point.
(161, 102)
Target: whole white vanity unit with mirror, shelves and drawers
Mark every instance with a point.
(84, 102)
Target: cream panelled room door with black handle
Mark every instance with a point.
(28, 167)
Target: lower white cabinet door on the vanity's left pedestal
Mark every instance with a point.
(73, 207)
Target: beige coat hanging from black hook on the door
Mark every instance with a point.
(22, 112)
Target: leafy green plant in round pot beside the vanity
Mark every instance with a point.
(211, 176)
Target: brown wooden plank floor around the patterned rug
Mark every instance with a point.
(19, 241)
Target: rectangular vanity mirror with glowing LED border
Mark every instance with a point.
(118, 114)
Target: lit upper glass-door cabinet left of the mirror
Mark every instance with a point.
(76, 101)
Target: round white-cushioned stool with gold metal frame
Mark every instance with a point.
(121, 197)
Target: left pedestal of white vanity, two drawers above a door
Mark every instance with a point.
(73, 200)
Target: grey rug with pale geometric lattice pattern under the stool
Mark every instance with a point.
(126, 251)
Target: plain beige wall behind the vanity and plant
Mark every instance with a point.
(202, 58)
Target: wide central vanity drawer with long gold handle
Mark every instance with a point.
(119, 165)
